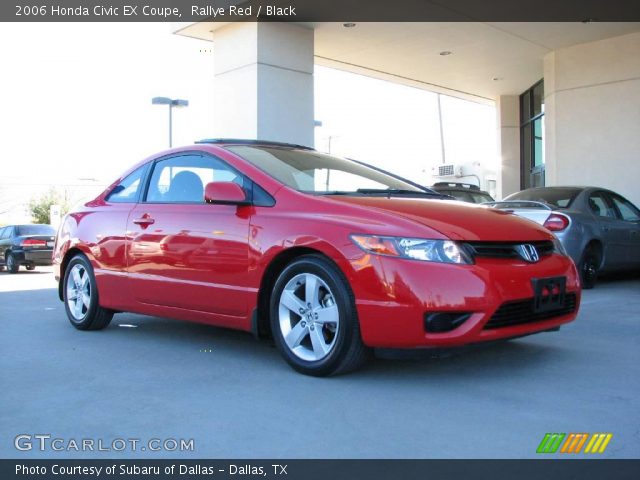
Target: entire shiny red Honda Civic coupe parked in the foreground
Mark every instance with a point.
(329, 257)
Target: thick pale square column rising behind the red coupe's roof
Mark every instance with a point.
(264, 82)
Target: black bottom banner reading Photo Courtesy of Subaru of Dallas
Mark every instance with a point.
(321, 469)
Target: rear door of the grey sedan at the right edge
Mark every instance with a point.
(613, 234)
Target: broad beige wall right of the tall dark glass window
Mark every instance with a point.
(592, 120)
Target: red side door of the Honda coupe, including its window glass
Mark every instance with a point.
(183, 252)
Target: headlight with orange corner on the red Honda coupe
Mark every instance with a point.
(442, 251)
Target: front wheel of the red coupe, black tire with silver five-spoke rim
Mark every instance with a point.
(314, 320)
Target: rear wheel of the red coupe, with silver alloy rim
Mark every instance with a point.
(81, 296)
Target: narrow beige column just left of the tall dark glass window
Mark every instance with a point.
(508, 125)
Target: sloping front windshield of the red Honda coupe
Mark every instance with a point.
(314, 172)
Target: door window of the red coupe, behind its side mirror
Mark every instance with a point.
(182, 179)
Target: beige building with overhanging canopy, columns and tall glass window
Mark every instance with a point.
(567, 95)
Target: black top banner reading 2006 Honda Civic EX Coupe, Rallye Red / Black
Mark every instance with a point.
(321, 11)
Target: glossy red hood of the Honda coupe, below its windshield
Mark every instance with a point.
(456, 220)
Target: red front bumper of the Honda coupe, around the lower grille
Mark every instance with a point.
(393, 295)
